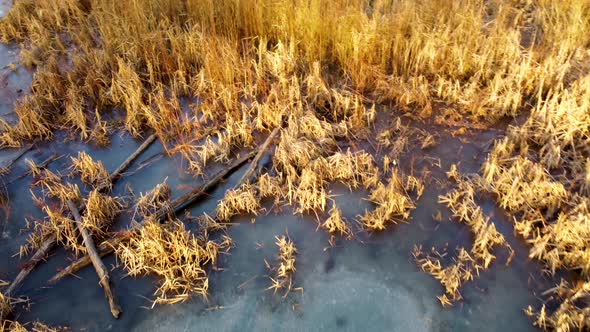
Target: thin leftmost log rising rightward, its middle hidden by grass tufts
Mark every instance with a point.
(50, 242)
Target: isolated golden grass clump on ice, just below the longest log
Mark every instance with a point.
(159, 248)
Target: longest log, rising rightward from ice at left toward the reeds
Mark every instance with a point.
(176, 206)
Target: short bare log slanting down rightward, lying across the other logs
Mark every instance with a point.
(99, 266)
